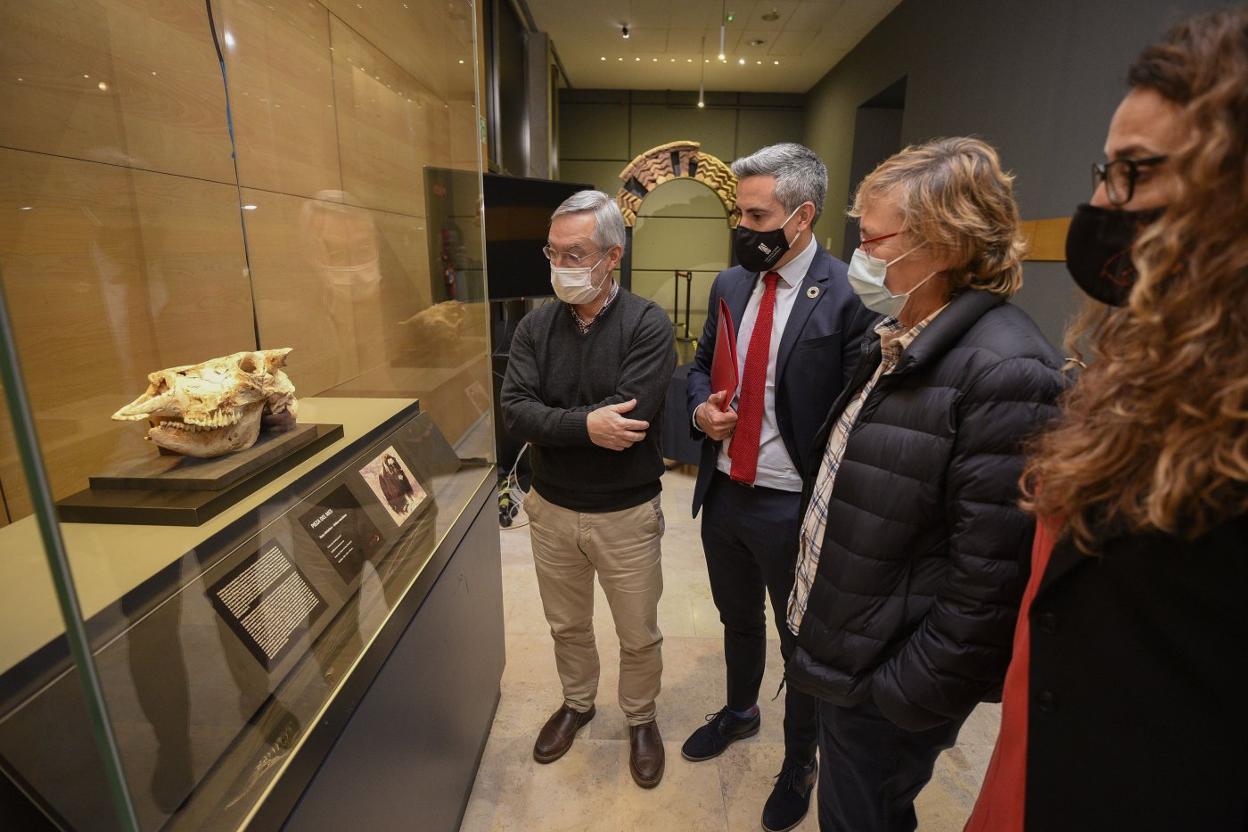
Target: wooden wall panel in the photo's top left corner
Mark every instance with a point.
(132, 83)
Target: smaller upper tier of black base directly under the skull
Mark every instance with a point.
(175, 473)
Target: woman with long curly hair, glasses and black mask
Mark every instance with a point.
(1125, 700)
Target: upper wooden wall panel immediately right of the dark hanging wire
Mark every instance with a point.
(281, 94)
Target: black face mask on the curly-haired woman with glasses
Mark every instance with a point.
(1099, 250)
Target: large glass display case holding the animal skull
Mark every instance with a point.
(208, 205)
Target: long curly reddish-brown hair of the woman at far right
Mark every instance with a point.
(1155, 435)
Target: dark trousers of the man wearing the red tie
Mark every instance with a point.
(751, 542)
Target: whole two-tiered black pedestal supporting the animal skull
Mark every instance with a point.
(175, 491)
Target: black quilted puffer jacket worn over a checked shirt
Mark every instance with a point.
(927, 553)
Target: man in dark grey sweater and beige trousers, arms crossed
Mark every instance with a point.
(585, 387)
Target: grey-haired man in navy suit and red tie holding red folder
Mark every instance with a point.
(798, 330)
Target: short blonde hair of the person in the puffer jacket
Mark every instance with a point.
(954, 196)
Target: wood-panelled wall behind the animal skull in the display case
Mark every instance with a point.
(162, 210)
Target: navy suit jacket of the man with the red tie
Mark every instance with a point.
(817, 357)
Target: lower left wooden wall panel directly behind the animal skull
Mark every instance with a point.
(112, 274)
